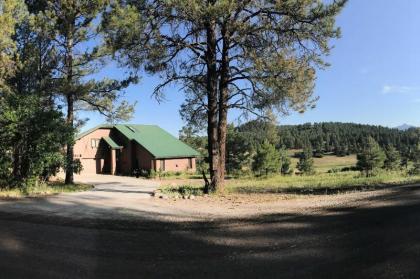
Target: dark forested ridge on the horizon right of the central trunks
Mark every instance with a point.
(329, 137)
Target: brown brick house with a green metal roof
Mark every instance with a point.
(123, 148)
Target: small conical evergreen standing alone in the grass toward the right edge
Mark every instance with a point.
(371, 158)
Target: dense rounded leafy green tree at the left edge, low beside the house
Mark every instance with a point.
(33, 135)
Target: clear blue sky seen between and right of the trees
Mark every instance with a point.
(374, 77)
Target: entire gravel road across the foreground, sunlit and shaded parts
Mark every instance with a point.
(354, 235)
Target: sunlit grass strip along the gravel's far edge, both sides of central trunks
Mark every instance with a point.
(319, 183)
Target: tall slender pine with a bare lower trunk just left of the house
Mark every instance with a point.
(70, 24)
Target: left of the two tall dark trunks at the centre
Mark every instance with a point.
(212, 106)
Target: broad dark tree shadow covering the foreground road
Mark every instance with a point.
(379, 241)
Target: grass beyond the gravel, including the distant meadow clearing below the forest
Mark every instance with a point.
(320, 182)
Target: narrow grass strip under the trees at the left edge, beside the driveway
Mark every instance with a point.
(43, 190)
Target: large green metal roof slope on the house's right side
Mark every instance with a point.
(157, 141)
